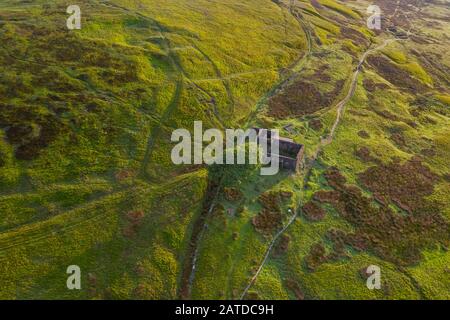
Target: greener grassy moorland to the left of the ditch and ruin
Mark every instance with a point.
(86, 117)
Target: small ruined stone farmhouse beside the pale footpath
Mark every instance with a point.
(290, 153)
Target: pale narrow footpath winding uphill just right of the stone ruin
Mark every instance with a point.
(324, 142)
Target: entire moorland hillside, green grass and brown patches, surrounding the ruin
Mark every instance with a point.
(85, 170)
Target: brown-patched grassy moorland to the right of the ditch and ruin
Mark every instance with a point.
(391, 148)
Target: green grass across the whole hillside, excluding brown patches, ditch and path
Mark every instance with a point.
(117, 88)
